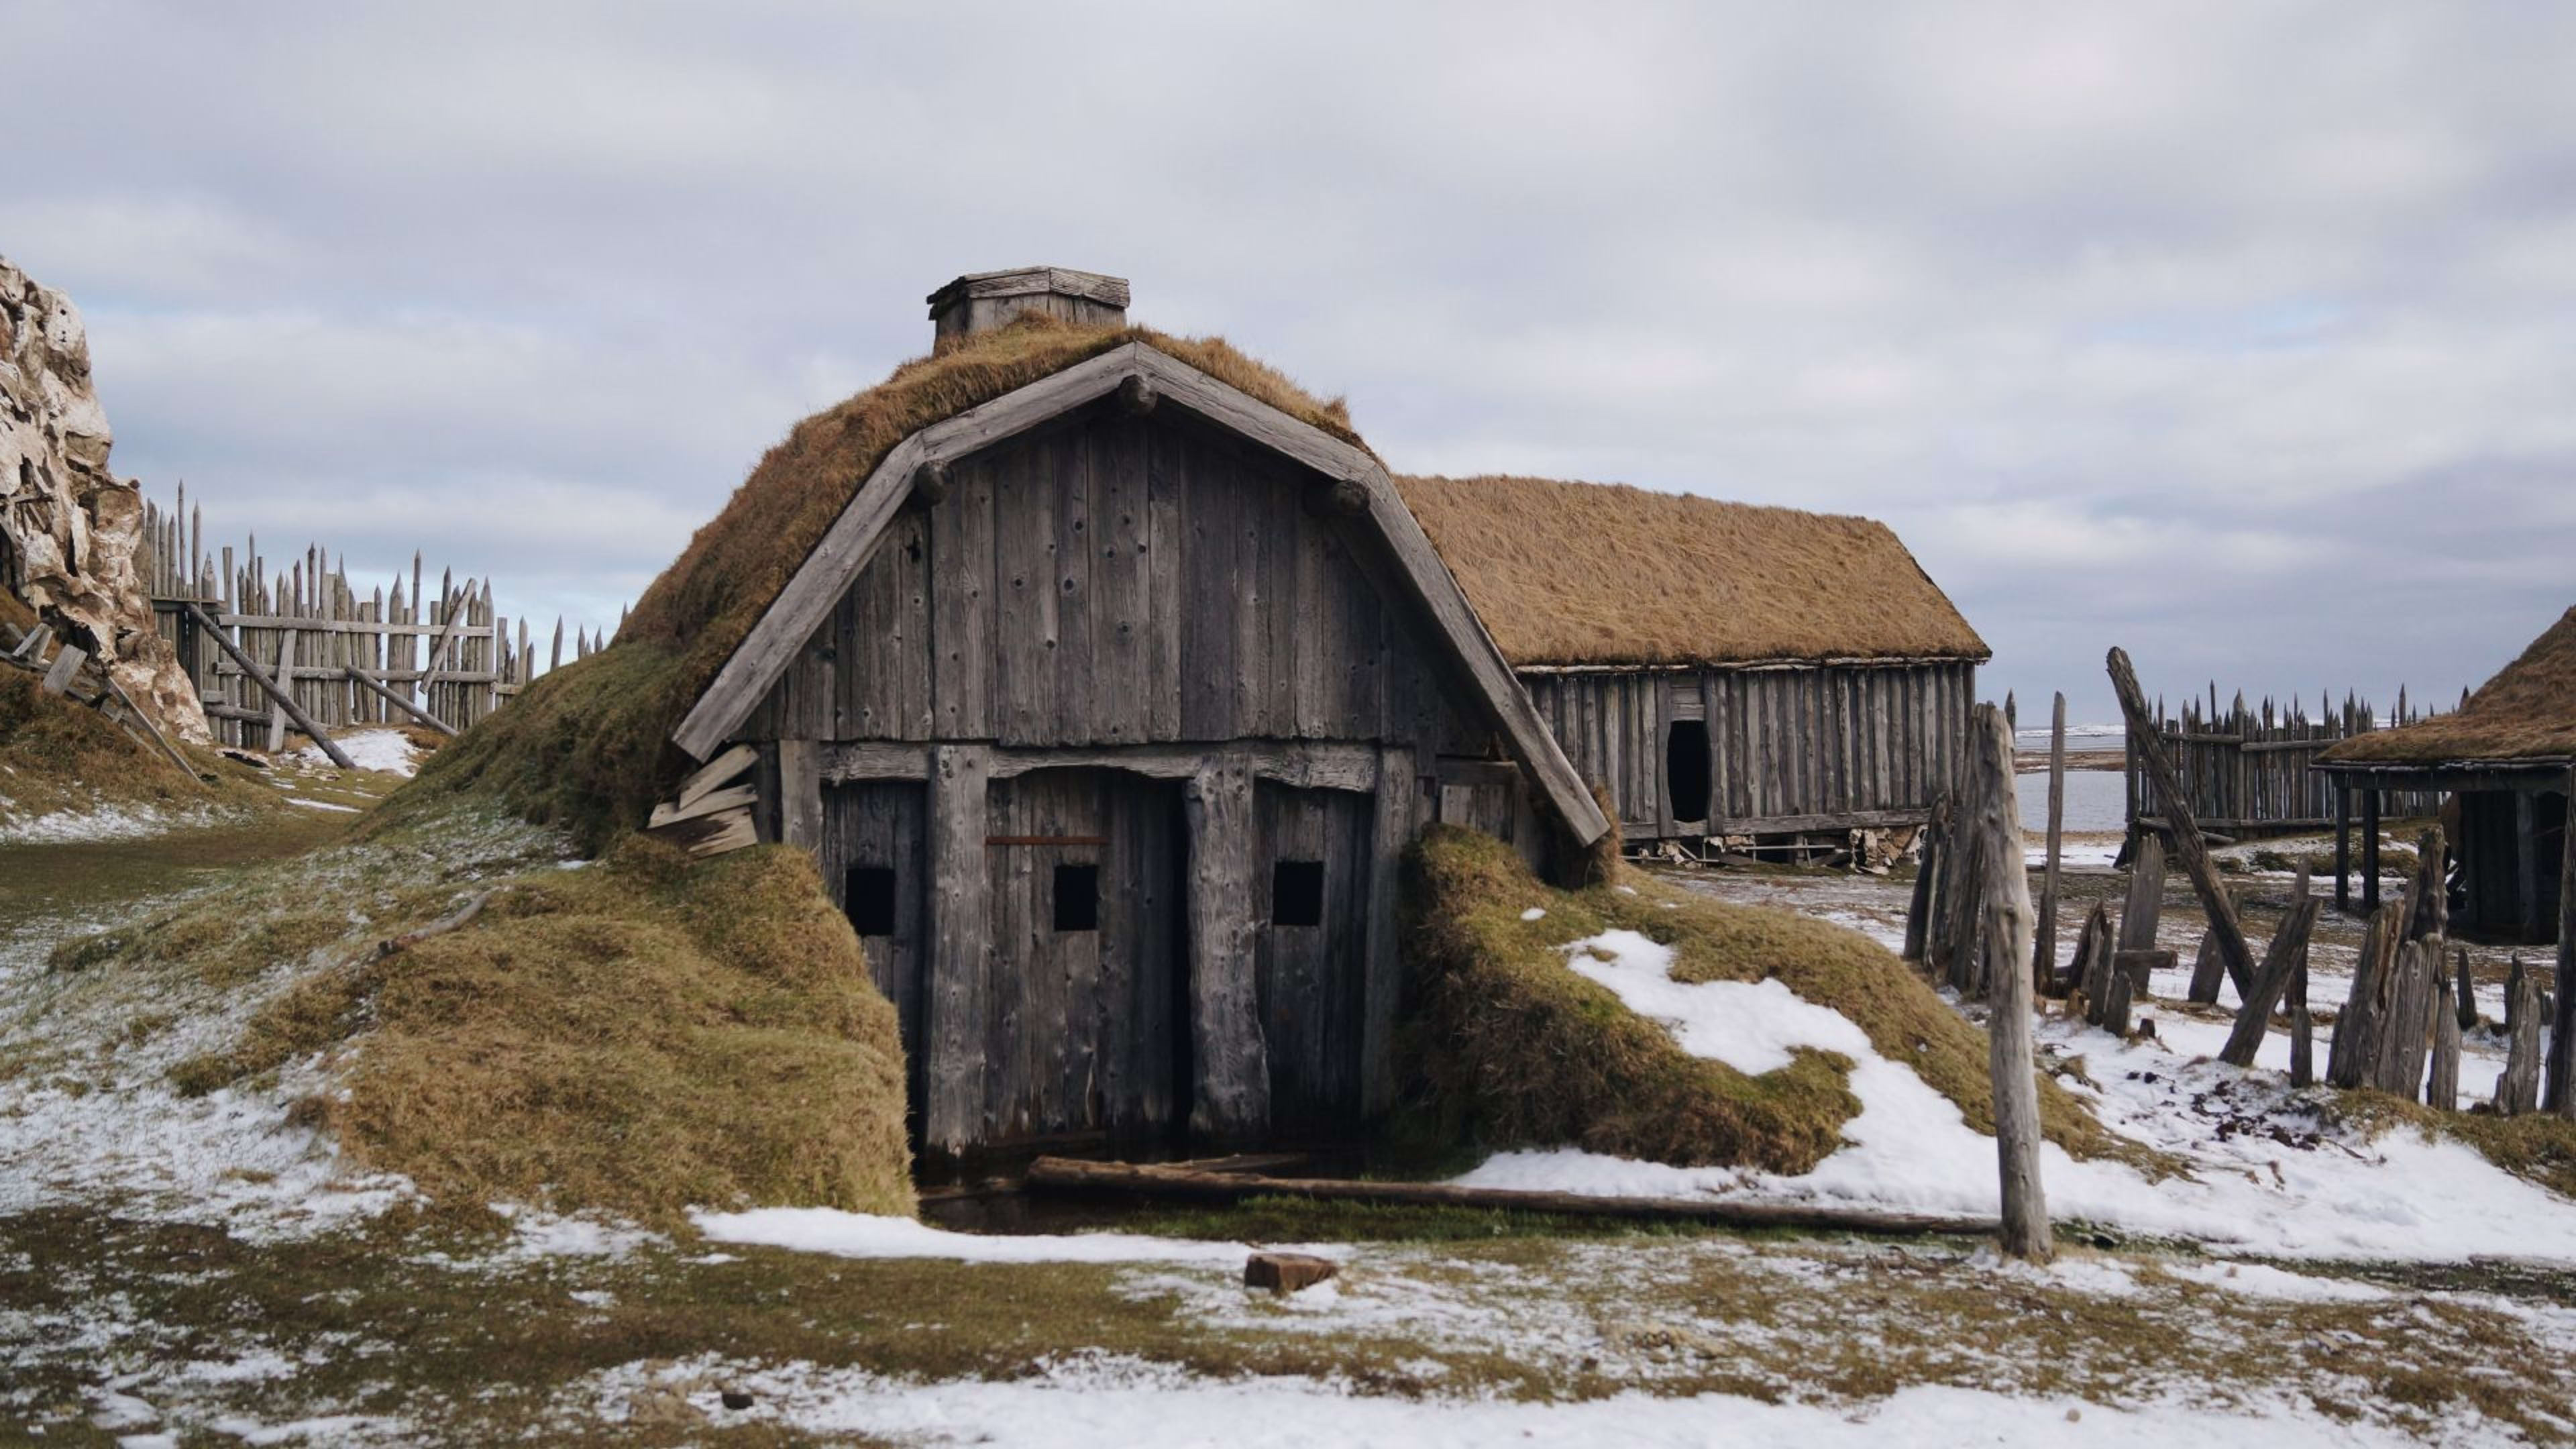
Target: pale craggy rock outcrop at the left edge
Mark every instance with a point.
(68, 527)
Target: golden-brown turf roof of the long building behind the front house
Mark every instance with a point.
(1583, 574)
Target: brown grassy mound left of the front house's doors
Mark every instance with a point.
(640, 1038)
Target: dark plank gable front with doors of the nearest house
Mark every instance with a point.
(1112, 752)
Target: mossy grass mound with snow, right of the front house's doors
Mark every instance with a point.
(1519, 1051)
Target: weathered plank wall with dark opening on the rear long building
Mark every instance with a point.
(1763, 752)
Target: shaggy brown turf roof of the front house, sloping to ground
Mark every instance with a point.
(589, 746)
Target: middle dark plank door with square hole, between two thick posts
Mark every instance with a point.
(1088, 1025)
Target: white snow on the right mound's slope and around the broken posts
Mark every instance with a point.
(2266, 1174)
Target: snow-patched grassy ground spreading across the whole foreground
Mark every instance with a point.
(169, 1270)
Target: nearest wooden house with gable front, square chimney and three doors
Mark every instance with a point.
(1109, 708)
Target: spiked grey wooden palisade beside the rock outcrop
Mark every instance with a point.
(344, 656)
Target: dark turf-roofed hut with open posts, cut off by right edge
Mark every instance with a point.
(2505, 757)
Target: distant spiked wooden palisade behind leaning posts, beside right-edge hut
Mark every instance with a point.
(2245, 772)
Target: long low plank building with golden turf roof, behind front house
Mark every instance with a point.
(1727, 672)
